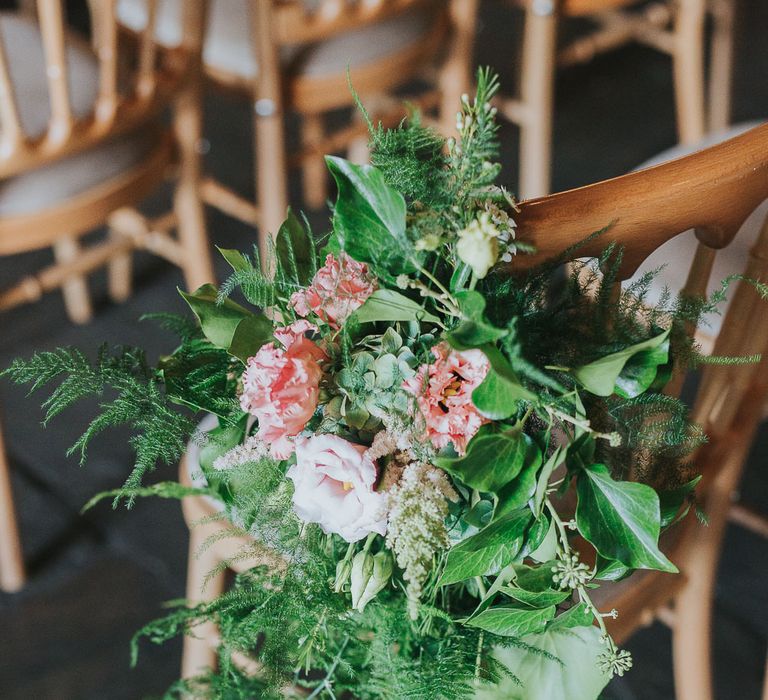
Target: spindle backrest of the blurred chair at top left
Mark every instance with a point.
(81, 112)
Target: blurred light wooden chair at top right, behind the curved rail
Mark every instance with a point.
(675, 28)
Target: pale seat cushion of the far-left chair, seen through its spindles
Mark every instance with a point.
(50, 185)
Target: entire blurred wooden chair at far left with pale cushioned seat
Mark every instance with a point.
(81, 143)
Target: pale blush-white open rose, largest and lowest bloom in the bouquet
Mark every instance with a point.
(333, 486)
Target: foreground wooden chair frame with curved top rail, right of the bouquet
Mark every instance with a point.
(649, 208)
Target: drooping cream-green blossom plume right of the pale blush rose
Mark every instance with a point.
(418, 507)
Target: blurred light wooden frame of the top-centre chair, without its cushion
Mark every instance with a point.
(277, 23)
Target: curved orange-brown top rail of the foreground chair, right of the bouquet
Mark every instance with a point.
(712, 191)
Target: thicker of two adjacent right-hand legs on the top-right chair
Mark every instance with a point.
(688, 68)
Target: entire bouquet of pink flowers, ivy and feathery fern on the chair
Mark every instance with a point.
(446, 455)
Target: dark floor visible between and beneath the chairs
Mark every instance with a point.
(94, 579)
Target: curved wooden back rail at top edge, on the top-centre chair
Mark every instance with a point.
(302, 21)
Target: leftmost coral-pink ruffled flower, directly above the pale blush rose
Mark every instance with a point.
(280, 386)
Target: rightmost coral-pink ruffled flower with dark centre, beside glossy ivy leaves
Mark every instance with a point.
(443, 392)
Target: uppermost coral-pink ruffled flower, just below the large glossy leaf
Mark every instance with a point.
(338, 289)
